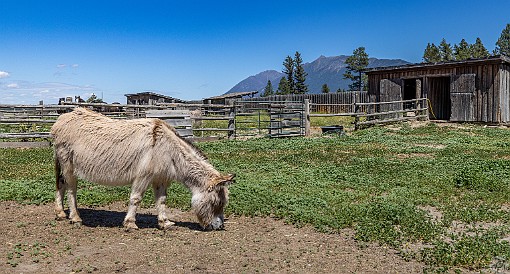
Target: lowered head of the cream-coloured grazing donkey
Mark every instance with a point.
(210, 201)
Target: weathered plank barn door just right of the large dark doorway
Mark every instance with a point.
(462, 97)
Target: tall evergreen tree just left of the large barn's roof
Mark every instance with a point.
(356, 63)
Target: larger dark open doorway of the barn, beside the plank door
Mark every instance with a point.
(439, 96)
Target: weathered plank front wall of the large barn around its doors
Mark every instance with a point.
(490, 101)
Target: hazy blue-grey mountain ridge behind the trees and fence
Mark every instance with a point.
(323, 70)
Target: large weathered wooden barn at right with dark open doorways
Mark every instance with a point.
(474, 90)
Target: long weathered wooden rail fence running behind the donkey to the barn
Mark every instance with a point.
(243, 118)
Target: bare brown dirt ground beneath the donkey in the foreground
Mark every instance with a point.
(32, 241)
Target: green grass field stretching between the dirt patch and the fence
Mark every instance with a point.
(440, 195)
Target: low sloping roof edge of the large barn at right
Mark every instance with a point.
(491, 59)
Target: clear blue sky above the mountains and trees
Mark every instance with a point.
(196, 49)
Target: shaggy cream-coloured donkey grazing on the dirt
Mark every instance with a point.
(140, 152)
